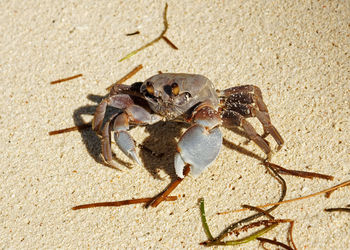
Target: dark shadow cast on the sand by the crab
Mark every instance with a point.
(157, 151)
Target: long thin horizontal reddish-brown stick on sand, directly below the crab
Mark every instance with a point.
(121, 203)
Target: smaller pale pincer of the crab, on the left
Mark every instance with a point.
(127, 145)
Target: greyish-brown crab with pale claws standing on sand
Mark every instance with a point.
(188, 98)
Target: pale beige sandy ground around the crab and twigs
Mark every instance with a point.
(297, 53)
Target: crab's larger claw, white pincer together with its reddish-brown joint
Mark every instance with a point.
(200, 144)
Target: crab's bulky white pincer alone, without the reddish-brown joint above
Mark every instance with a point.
(199, 148)
